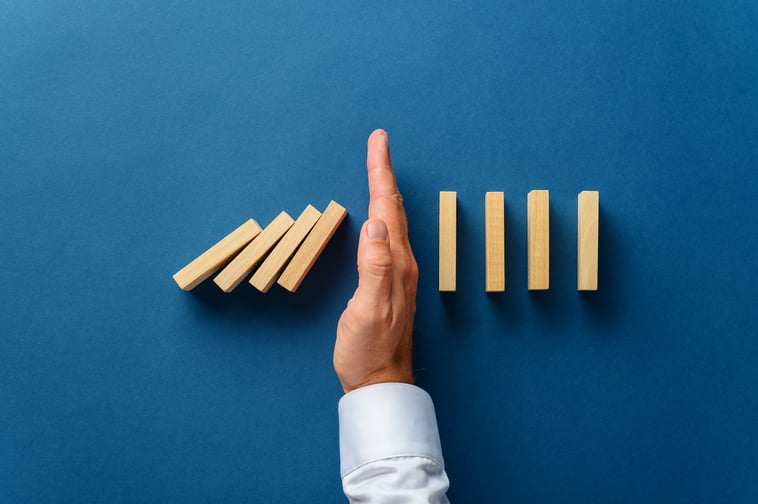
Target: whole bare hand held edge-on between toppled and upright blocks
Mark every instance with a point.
(375, 333)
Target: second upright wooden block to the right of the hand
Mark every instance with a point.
(494, 225)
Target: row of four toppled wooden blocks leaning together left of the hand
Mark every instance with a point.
(283, 252)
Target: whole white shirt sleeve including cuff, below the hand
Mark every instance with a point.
(390, 449)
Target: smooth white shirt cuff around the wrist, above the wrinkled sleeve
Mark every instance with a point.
(387, 420)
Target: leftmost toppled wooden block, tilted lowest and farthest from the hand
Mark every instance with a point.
(215, 257)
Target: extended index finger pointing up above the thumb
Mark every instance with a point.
(385, 202)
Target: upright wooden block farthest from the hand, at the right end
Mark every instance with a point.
(587, 240)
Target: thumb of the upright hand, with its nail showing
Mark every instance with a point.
(374, 263)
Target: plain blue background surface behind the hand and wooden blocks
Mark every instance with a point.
(135, 134)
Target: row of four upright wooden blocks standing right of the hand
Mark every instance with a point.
(538, 238)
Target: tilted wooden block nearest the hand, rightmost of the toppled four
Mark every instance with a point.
(314, 244)
